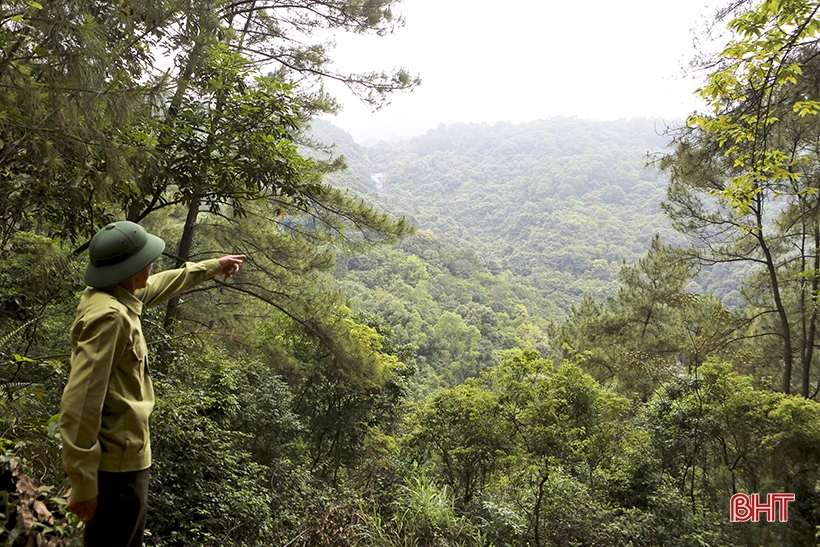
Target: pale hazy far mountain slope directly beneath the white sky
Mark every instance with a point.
(562, 202)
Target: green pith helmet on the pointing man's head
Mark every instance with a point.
(119, 251)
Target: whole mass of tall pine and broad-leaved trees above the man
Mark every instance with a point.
(97, 125)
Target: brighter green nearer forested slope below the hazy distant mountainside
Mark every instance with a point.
(458, 326)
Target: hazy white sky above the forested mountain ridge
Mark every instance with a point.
(488, 61)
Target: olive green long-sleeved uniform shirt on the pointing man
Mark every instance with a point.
(109, 396)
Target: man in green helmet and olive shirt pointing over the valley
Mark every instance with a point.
(109, 396)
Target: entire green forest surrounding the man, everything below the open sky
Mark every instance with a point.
(565, 332)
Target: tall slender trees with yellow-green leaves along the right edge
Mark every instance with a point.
(744, 174)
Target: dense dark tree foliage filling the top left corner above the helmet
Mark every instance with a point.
(76, 77)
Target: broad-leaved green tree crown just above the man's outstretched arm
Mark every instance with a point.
(230, 140)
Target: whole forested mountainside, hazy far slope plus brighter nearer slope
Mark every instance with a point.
(515, 224)
